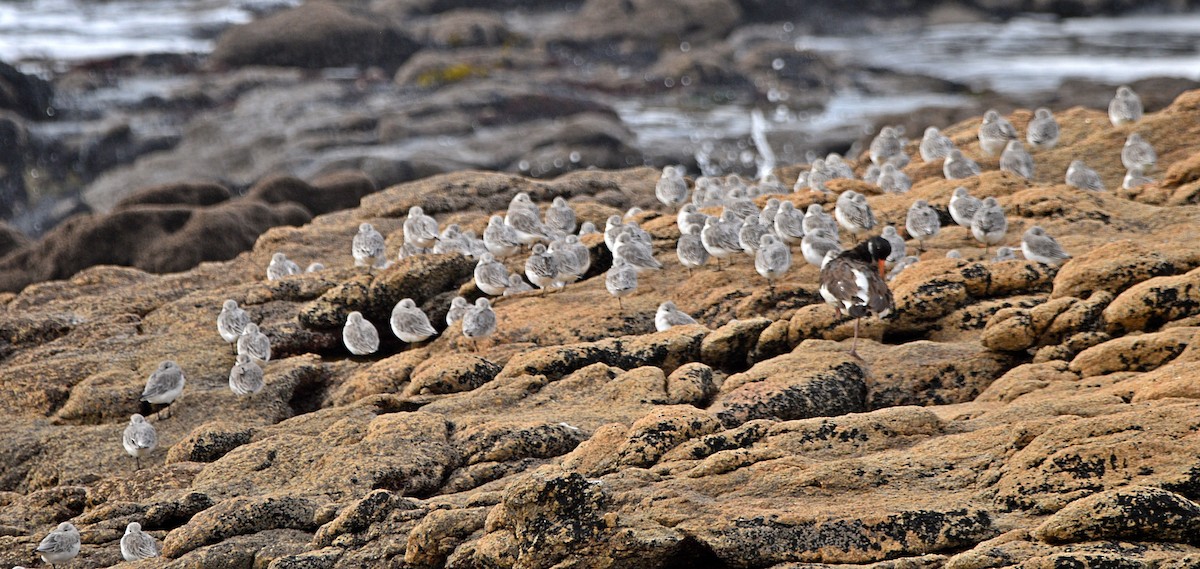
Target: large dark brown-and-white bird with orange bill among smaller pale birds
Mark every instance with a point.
(855, 283)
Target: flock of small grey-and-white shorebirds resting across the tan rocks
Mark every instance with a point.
(557, 259)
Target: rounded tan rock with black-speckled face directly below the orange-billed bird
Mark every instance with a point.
(813, 381)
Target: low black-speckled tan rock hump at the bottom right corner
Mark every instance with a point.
(1138, 513)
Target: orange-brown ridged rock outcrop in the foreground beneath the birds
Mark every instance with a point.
(1009, 415)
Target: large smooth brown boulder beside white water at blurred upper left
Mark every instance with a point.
(314, 35)
